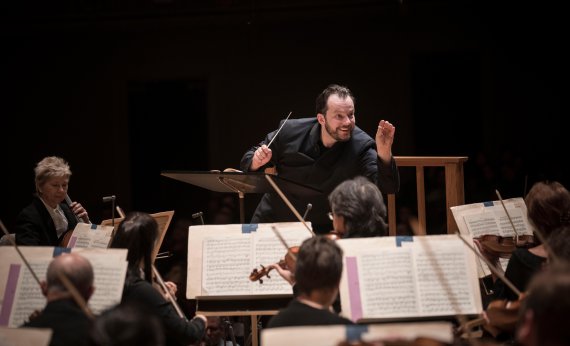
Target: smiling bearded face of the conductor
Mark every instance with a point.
(339, 120)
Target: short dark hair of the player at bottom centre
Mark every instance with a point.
(319, 264)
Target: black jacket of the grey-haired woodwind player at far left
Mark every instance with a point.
(35, 226)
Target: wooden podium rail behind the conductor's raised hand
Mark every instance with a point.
(454, 188)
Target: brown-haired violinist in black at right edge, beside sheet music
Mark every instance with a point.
(548, 208)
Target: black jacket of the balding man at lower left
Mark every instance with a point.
(69, 323)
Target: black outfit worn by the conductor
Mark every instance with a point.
(300, 156)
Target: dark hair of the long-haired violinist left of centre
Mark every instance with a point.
(137, 233)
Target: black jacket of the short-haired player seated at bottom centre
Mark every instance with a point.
(299, 314)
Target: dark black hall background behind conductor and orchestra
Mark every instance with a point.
(126, 89)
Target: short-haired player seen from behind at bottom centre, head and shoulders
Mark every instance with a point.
(317, 273)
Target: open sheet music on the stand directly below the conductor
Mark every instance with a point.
(221, 258)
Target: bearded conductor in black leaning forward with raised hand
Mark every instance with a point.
(322, 152)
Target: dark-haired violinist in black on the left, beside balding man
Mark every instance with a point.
(138, 233)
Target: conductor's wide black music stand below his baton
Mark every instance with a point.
(240, 183)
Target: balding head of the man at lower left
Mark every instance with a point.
(76, 268)
